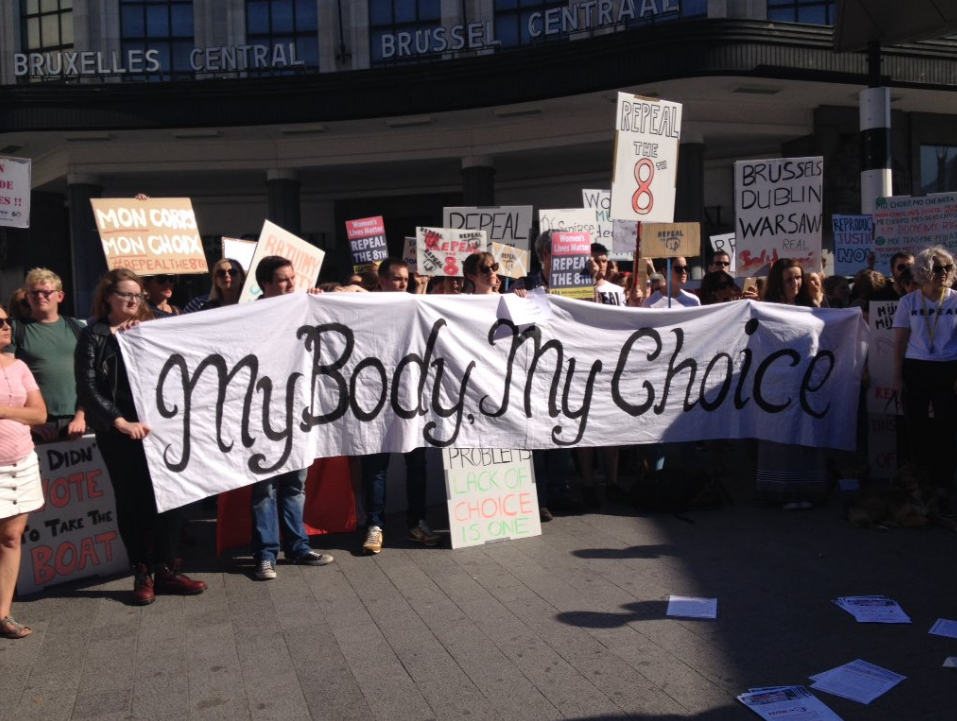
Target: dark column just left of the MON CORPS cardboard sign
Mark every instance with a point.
(88, 260)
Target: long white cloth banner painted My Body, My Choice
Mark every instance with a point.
(305, 376)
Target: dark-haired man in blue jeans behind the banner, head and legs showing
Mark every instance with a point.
(276, 277)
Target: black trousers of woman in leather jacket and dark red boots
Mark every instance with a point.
(150, 537)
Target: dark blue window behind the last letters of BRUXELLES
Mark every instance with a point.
(162, 28)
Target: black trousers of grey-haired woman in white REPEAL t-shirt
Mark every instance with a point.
(932, 440)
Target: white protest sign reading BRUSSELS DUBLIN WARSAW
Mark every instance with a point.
(778, 213)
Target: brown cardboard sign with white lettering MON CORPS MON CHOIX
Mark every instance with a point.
(156, 236)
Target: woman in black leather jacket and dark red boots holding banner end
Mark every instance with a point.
(103, 390)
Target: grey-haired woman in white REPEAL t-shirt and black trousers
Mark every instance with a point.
(925, 368)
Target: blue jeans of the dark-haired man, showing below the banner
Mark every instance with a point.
(267, 523)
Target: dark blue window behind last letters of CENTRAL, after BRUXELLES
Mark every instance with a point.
(289, 29)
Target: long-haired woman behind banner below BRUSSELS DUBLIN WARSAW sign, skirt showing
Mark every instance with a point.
(795, 477)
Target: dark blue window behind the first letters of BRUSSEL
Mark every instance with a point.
(414, 19)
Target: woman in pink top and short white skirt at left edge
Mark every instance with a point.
(21, 406)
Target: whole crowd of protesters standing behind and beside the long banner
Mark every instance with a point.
(63, 377)
